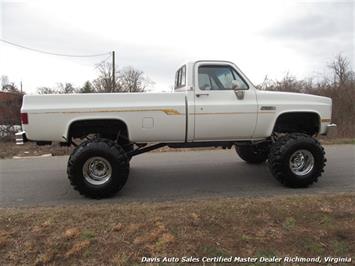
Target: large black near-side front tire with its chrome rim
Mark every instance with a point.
(297, 160)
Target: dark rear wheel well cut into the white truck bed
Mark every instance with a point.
(106, 128)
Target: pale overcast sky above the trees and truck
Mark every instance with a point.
(157, 36)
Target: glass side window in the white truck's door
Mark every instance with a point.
(219, 78)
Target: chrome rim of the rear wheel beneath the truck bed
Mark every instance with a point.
(97, 170)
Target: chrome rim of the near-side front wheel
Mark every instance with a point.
(301, 162)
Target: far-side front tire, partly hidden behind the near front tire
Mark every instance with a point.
(254, 154)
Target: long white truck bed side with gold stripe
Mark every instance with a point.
(149, 116)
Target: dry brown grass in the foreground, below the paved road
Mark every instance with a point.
(120, 234)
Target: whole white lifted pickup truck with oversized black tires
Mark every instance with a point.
(213, 104)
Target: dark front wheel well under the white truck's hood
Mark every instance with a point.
(302, 122)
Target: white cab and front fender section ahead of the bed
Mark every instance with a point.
(223, 104)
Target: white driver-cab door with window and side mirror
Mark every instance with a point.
(222, 113)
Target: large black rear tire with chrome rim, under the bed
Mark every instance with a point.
(98, 168)
